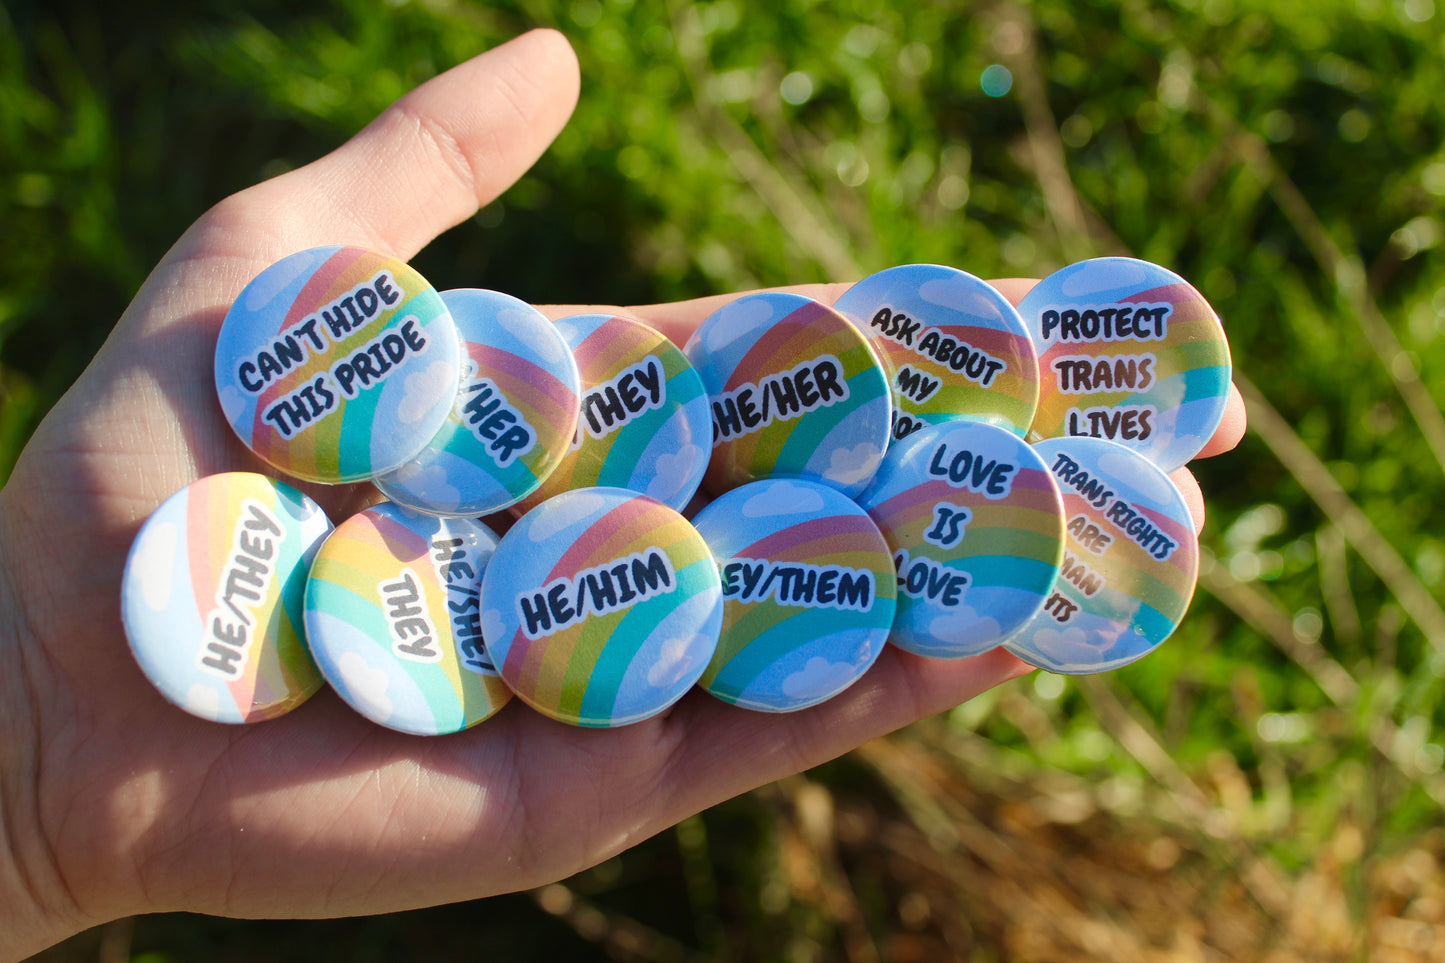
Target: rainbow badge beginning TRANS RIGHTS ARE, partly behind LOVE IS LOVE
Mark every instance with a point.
(1131, 560)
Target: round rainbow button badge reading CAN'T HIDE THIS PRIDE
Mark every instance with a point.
(337, 365)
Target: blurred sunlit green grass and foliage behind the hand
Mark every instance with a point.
(1288, 160)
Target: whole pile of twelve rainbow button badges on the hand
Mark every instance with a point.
(920, 465)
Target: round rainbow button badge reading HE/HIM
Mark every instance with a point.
(603, 608)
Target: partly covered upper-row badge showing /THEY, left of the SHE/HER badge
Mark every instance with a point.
(645, 424)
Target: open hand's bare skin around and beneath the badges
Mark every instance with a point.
(115, 803)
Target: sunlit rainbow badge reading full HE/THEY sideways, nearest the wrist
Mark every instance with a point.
(213, 598)
